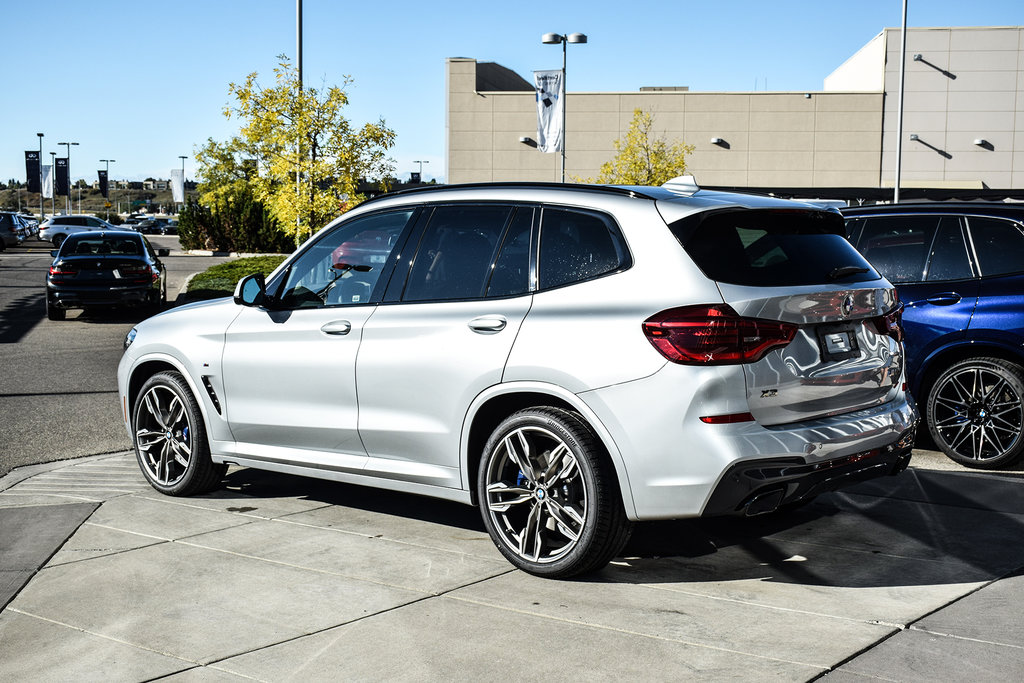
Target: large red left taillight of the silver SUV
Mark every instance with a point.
(714, 335)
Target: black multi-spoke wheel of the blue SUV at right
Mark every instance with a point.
(975, 414)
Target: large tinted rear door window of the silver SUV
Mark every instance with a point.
(456, 252)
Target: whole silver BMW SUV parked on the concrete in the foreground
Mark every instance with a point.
(571, 359)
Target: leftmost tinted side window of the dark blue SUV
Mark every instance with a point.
(900, 246)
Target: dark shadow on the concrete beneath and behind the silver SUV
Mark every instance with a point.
(920, 529)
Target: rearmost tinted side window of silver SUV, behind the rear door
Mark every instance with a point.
(578, 245)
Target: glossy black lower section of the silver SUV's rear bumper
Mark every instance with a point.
(758, 487)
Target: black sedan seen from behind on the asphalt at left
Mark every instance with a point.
(106, 269)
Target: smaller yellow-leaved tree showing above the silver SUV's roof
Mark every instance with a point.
(644, 159)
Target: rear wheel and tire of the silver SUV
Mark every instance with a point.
(549, 496)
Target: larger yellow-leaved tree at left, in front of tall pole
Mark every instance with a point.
(303, 158)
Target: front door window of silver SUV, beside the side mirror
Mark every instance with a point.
(345, 266)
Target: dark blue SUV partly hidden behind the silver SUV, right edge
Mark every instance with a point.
(959, 269)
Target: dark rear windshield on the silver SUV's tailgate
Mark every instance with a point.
(773, 248)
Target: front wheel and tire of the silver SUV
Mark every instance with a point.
(170, 439)
